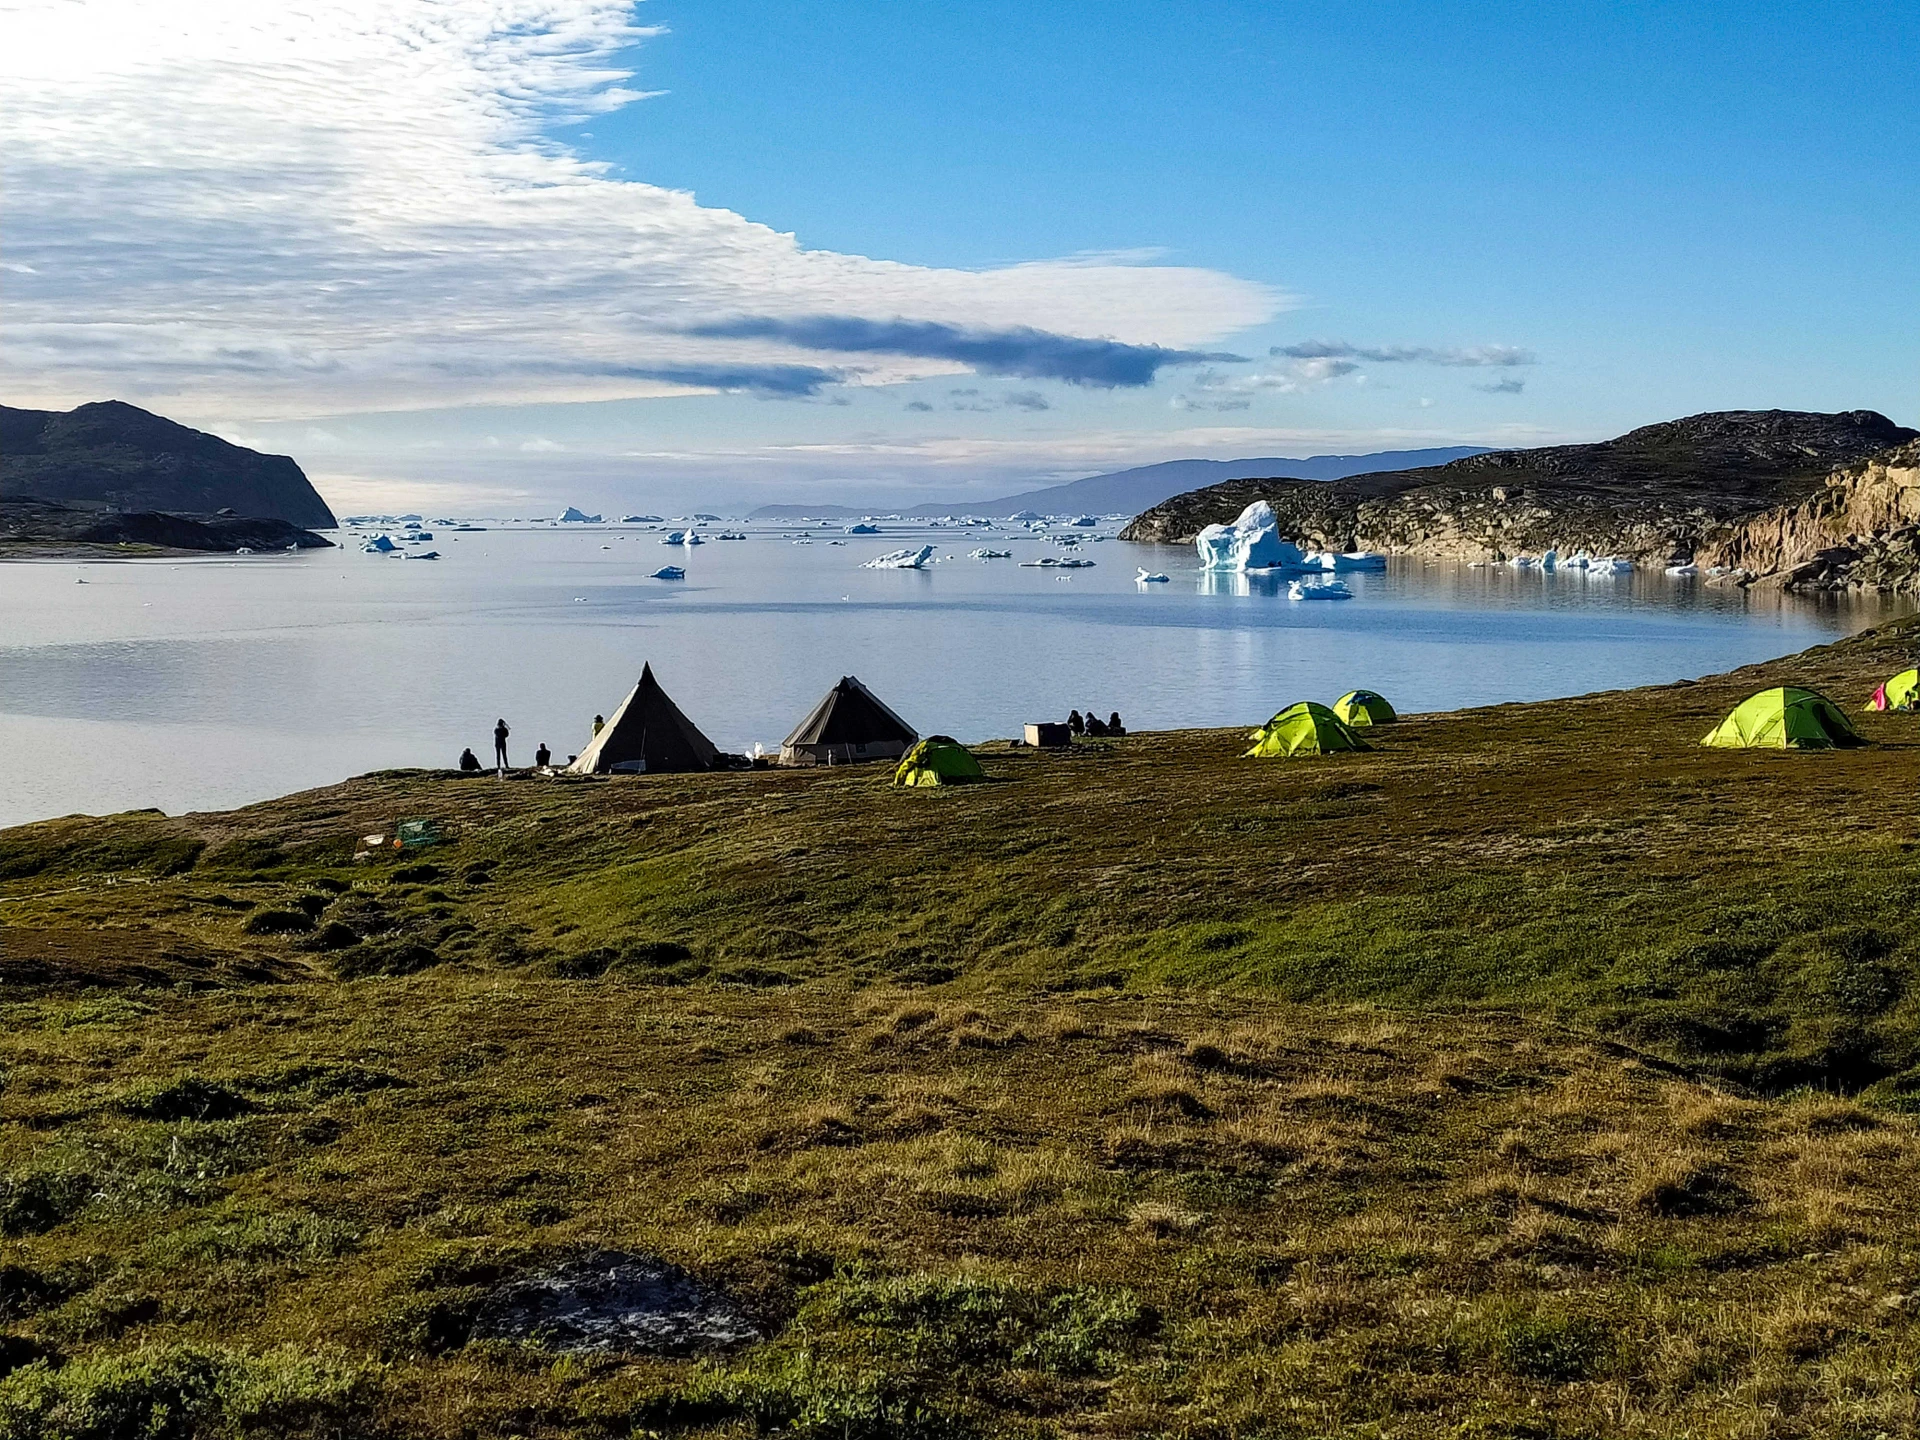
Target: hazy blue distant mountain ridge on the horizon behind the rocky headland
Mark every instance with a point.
(1128, 492)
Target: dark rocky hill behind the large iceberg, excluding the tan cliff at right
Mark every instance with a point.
(1662, 494)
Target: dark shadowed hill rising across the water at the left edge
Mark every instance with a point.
(124, 458)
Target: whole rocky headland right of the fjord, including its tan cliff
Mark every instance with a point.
(1802, 500)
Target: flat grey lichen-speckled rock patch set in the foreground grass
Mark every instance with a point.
(615, 1305)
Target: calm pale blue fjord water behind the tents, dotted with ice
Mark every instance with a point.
(212, 683)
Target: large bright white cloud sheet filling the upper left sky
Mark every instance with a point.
(270, 210)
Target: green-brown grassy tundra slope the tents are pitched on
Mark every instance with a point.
(1535, 1074)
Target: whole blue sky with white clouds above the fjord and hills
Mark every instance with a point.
(1470, 224)
